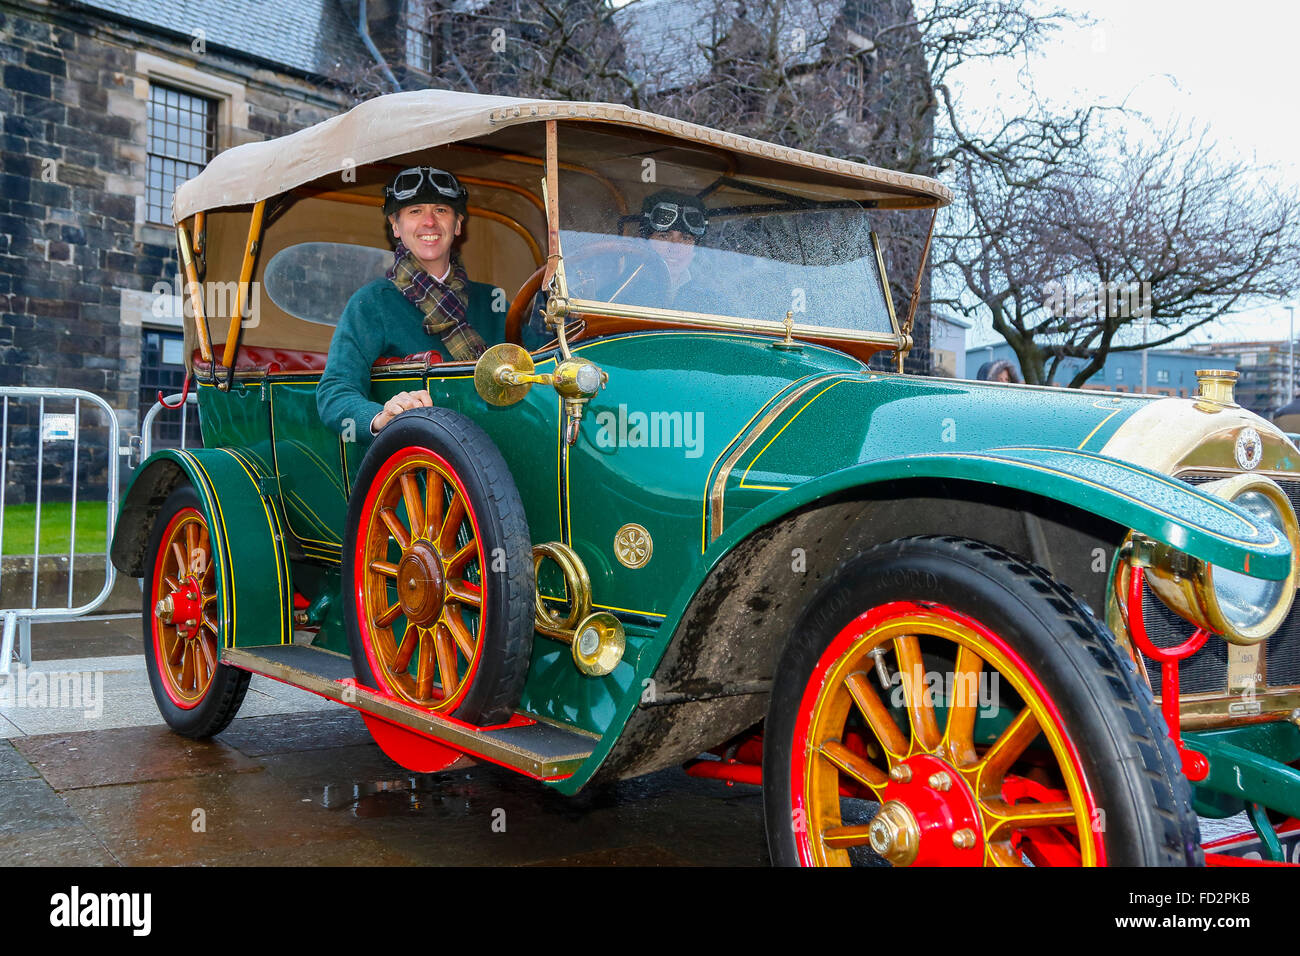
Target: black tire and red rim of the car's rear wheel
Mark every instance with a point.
(222, 700)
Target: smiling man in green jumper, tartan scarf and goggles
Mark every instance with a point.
(427, 301)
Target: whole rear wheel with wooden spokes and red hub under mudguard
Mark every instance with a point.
(197, 695)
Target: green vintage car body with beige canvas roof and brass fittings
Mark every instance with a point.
(723, 471)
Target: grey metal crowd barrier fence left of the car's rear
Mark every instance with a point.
(64, 432)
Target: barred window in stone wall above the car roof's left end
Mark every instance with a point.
(183, 137)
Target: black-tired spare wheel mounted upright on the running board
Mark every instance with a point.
(493, 681)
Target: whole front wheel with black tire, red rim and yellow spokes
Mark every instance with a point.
(909, 728)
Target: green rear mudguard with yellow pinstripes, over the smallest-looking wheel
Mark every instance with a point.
(253, 577)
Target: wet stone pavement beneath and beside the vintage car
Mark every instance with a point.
(289, 786)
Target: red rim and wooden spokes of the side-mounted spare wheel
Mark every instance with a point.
(419, 581)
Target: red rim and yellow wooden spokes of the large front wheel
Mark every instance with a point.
(956, 785)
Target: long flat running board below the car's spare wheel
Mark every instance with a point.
(535, 749)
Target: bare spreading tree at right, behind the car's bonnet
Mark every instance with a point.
(1090, 250)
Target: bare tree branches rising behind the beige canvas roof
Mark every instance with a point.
(863, 80)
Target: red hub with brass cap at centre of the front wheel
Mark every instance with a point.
(929, 817)
